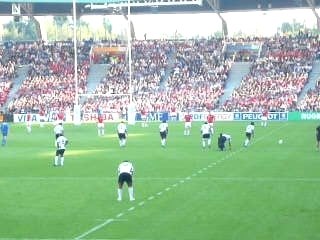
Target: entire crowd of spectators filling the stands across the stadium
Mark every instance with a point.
(166, 75)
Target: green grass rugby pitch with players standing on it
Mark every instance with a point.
(266, 191)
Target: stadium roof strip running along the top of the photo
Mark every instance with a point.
(63, 7)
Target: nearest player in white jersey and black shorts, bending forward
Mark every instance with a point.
(125, 173)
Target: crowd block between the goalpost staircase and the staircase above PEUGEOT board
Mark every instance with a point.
(167, 75)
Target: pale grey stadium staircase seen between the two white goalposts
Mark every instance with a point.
(96, 73)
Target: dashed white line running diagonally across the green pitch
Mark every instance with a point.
(95, 228)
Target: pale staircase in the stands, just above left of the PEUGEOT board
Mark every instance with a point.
(237, 72)
